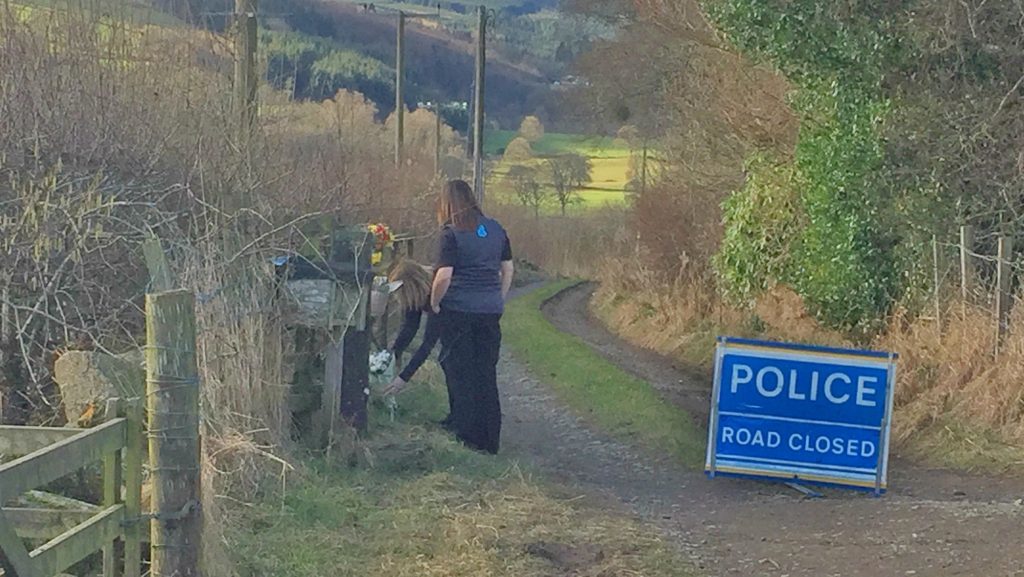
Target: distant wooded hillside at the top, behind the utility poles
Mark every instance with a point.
(531, 46)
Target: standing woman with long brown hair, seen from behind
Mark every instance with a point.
(472, 283)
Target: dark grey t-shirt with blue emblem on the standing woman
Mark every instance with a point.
(476, 258)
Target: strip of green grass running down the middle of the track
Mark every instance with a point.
(616, 401)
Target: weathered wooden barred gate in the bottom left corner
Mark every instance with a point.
(47, 455)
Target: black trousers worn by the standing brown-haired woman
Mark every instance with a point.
(472, 344)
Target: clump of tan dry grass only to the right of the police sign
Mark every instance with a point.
(952, 388)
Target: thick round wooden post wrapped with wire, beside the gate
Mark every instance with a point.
(173, 386)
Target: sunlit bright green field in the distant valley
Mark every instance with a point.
(611, 160)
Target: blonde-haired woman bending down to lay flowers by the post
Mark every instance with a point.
(414, 285)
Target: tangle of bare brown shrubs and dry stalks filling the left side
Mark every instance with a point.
(113, 131)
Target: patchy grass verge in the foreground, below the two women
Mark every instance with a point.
(419, 505)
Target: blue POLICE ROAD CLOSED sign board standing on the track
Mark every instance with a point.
(801, 414)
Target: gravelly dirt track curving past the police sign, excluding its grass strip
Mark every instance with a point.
(931, 523)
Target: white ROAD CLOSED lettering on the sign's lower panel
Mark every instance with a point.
(822, 444)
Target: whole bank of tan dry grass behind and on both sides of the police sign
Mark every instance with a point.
(956, 404)
